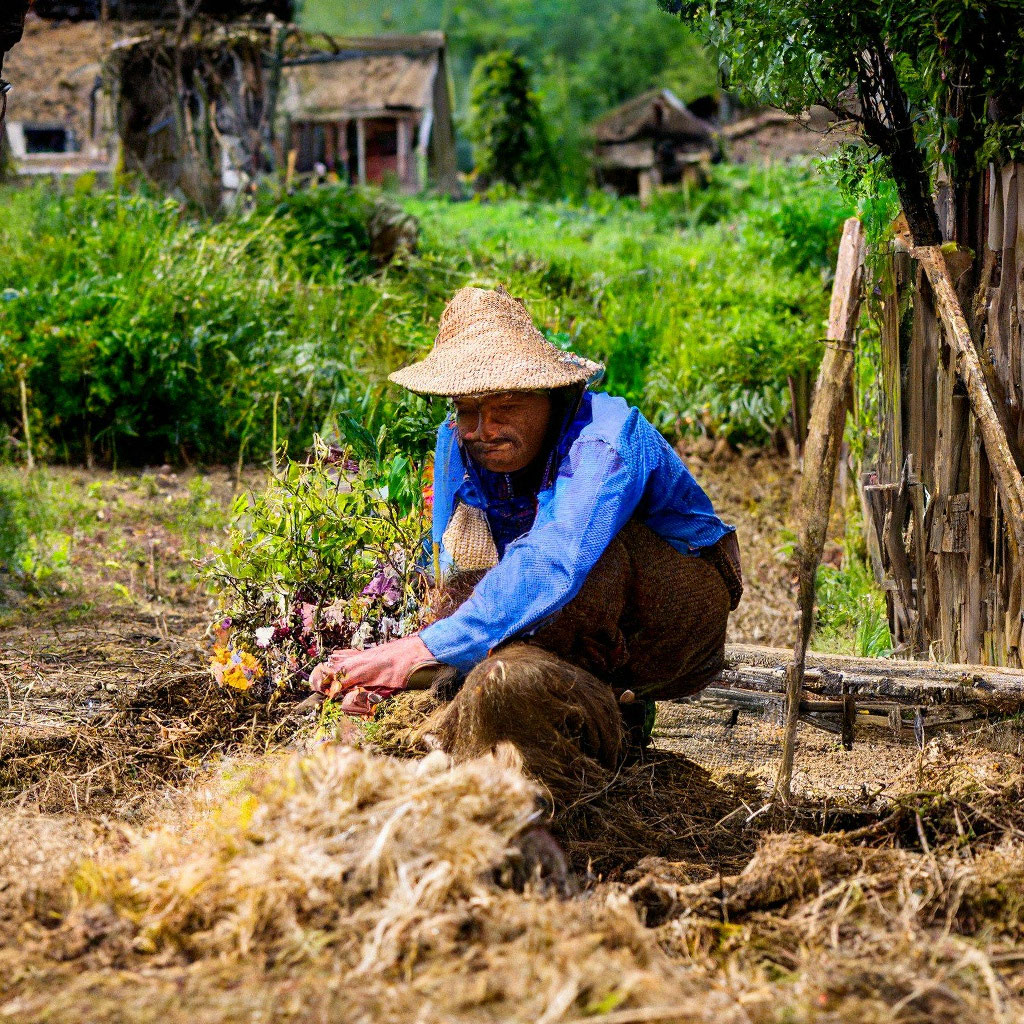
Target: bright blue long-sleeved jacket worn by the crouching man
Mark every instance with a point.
(618, 467)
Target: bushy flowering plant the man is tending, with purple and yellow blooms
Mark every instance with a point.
(325, 558)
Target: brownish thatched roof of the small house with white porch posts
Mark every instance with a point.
(363, 76)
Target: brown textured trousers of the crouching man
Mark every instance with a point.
(648, 620)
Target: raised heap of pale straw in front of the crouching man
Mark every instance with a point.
(334, 849)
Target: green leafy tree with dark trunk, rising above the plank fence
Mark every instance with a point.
(930, 81)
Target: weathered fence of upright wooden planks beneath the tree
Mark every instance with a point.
(937, 533)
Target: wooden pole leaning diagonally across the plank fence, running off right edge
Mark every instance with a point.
(1001, 461)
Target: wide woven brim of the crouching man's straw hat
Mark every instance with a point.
(446, 374)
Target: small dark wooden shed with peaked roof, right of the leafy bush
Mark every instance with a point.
(650, 141)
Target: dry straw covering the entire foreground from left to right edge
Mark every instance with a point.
(344, 886)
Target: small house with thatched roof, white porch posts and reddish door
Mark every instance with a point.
(373, 110)
